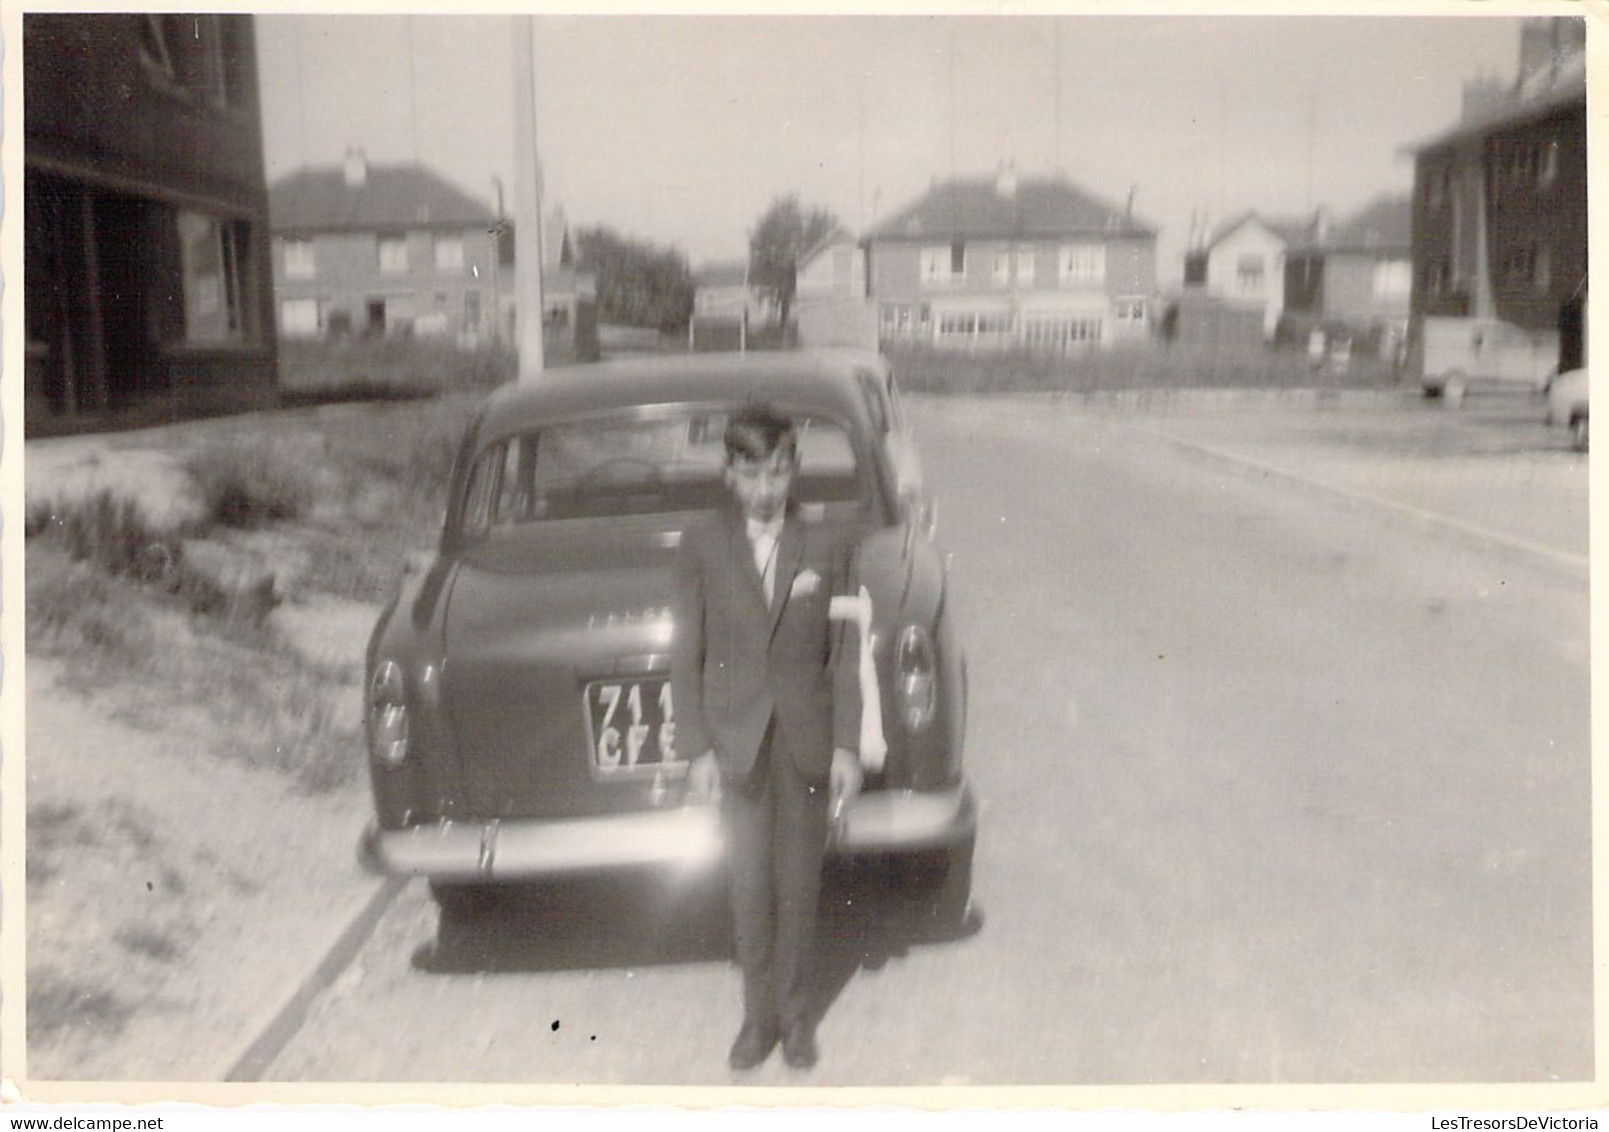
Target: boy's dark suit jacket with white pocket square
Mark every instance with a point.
(736, 662)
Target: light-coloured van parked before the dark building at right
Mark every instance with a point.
(1463, 355)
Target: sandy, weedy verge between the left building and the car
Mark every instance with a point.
(195, 779)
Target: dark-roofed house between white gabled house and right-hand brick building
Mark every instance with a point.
(1359, 276)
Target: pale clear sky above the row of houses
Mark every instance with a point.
(681, 129)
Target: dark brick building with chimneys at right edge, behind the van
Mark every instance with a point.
(1500, 200)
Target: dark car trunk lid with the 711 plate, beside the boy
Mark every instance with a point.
(559, 683)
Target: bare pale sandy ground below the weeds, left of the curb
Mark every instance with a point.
(173, 898)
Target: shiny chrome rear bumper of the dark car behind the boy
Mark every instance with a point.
(688, 837)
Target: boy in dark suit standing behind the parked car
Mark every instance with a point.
(767, 694)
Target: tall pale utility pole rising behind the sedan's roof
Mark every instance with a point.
(527, 203)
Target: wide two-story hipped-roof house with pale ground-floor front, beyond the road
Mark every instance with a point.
(1003, 263)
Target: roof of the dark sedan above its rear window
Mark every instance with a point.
(826, 382)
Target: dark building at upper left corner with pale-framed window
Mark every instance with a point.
(146, 269)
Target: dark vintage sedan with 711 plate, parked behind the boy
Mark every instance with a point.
(521, 718)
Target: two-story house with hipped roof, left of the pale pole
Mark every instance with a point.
(382, 252)
